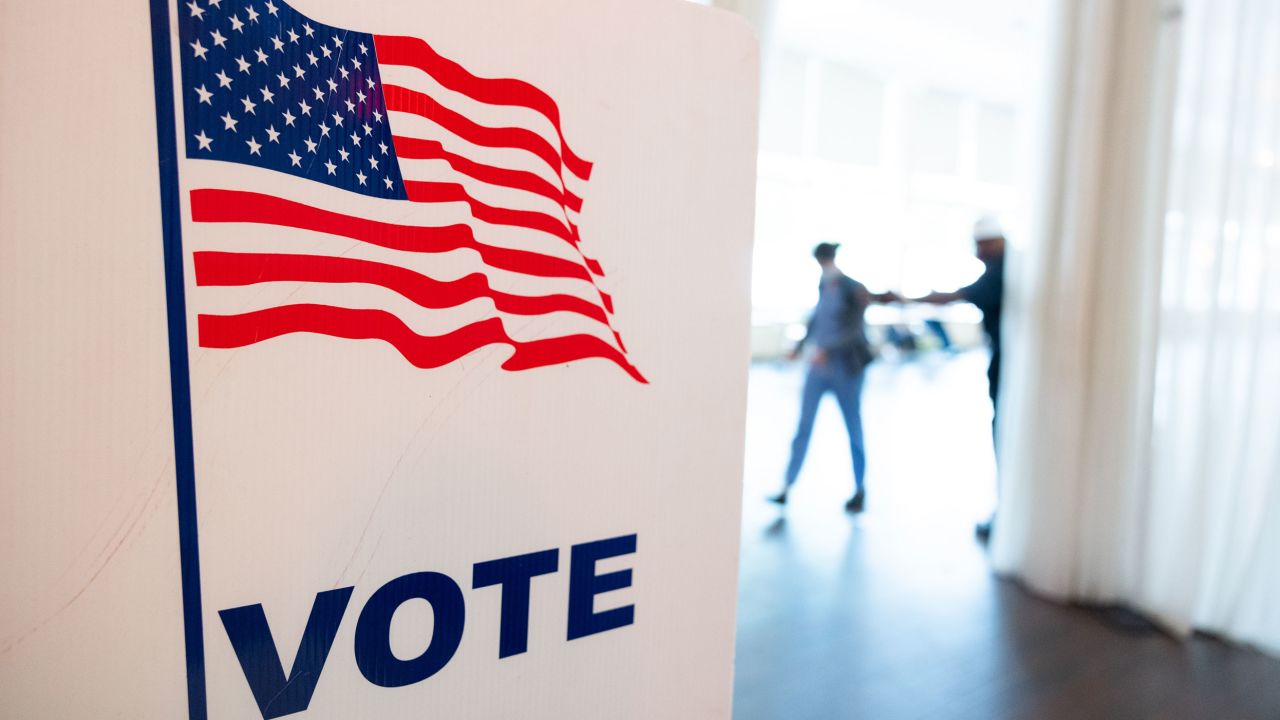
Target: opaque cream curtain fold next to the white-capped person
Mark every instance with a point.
(1081, 311)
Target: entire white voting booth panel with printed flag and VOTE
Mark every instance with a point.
(373, 361)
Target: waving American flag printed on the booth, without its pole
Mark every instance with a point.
(355, 174)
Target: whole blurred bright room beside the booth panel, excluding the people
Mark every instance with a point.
(1127, 153)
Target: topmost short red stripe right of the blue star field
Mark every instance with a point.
(395, 51)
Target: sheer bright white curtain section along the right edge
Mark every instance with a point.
(1215, 475)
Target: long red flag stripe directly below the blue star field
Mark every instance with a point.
(241, 207)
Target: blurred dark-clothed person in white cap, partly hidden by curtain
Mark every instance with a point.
(988, 294)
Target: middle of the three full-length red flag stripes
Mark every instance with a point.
(244, 268)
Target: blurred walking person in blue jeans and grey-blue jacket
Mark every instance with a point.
(838, 361)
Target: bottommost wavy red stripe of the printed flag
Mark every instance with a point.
(423, 352)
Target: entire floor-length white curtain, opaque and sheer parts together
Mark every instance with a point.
(1141, 441)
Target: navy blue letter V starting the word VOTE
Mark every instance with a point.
(252, 637)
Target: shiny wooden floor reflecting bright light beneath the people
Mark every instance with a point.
(895, 614)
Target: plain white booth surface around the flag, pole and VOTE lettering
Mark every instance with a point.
(323, 463)
